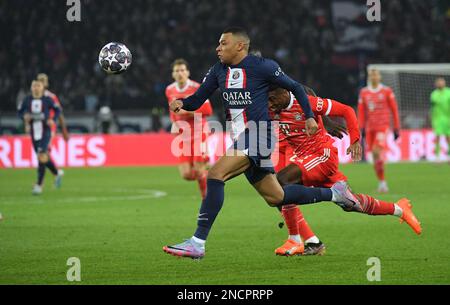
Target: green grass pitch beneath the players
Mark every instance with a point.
(115, 222)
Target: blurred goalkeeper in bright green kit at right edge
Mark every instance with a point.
(440, 113)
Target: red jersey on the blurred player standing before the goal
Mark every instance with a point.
(375, 107)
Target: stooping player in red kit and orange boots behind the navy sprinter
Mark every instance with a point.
(315, 162)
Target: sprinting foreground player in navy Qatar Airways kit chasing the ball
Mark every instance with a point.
(244, 81)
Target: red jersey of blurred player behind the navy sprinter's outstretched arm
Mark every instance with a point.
(173, 92)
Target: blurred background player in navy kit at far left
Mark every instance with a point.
(36, 111)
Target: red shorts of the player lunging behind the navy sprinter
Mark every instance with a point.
(321, 168)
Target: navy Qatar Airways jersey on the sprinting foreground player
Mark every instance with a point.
(244, 89)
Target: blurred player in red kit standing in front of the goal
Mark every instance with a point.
(376, 104)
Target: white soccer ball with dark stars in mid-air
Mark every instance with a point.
(115, 58)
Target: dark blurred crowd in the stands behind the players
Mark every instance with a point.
(300, 35)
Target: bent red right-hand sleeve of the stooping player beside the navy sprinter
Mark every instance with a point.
(333, 108)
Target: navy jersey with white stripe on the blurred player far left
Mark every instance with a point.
(39, 110)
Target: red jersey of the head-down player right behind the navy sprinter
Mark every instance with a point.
(292, 124)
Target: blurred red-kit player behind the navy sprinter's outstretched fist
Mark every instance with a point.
(193, 166)
